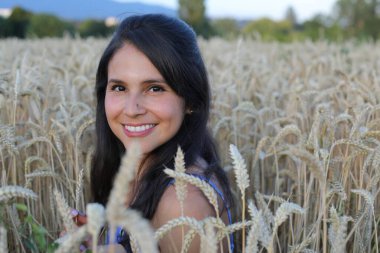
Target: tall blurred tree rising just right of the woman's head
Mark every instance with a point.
(194, 13)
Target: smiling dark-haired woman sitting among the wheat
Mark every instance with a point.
(152, 87)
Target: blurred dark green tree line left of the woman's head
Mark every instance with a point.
(24, 24)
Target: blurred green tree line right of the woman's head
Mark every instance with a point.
(349, 19)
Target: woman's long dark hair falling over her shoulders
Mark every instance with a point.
(171, 46)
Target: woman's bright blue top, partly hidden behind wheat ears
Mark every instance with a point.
(120, 234)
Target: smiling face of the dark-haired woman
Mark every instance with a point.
(140, 106)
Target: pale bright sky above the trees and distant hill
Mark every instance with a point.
(254, 9)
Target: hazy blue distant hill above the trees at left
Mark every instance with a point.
(85, 9)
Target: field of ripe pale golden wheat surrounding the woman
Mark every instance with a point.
(297, 126)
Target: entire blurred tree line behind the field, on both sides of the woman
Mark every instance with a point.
(358, 19)
